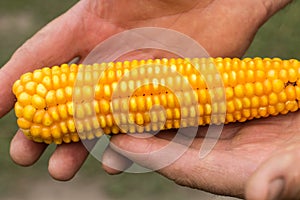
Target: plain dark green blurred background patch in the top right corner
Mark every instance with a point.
(279, 37)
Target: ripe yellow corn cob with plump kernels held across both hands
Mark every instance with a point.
(47, 98)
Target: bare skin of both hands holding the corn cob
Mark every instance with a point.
(255, 156)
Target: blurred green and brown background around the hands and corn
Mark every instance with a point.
(19, 20)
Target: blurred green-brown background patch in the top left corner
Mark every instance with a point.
(19, 20)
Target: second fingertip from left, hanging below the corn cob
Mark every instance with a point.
(67, 160)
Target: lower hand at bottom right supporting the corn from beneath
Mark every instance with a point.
(251, 159)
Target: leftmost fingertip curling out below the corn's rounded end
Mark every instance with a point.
(25, 152)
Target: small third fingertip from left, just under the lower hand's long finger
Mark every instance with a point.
(114, 163)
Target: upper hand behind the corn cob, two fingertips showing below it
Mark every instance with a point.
(89, 22)
